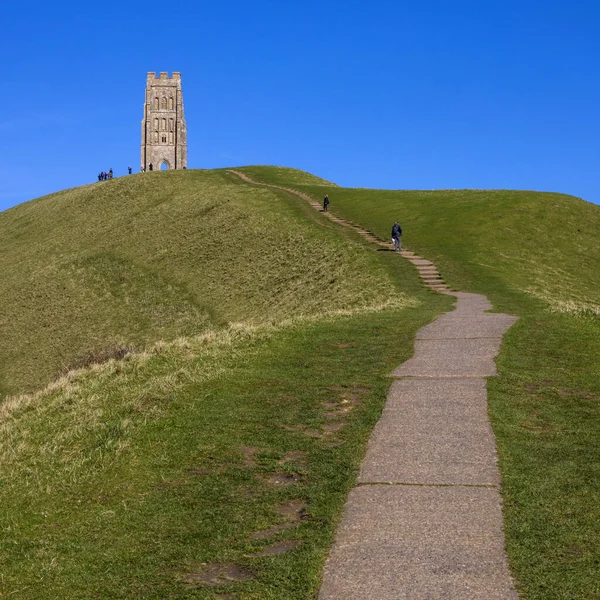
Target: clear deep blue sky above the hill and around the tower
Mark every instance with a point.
(391, 94)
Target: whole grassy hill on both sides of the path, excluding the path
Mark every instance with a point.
(258, 336)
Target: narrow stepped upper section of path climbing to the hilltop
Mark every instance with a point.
(428, 272)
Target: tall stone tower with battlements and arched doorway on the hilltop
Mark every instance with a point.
(163, 128)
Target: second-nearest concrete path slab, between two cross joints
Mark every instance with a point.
(433, 432)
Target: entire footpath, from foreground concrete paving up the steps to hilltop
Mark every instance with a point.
(424, 521)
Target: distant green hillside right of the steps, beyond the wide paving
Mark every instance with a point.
(539, 244)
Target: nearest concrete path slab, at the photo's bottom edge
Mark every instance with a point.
(418, 543)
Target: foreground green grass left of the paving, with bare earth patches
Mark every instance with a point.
(144, 477)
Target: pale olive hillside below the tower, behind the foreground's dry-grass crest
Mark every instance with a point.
(151, 257)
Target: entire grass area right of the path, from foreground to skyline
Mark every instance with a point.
(535, 255)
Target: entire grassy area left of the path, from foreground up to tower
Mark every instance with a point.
(122, 479)
